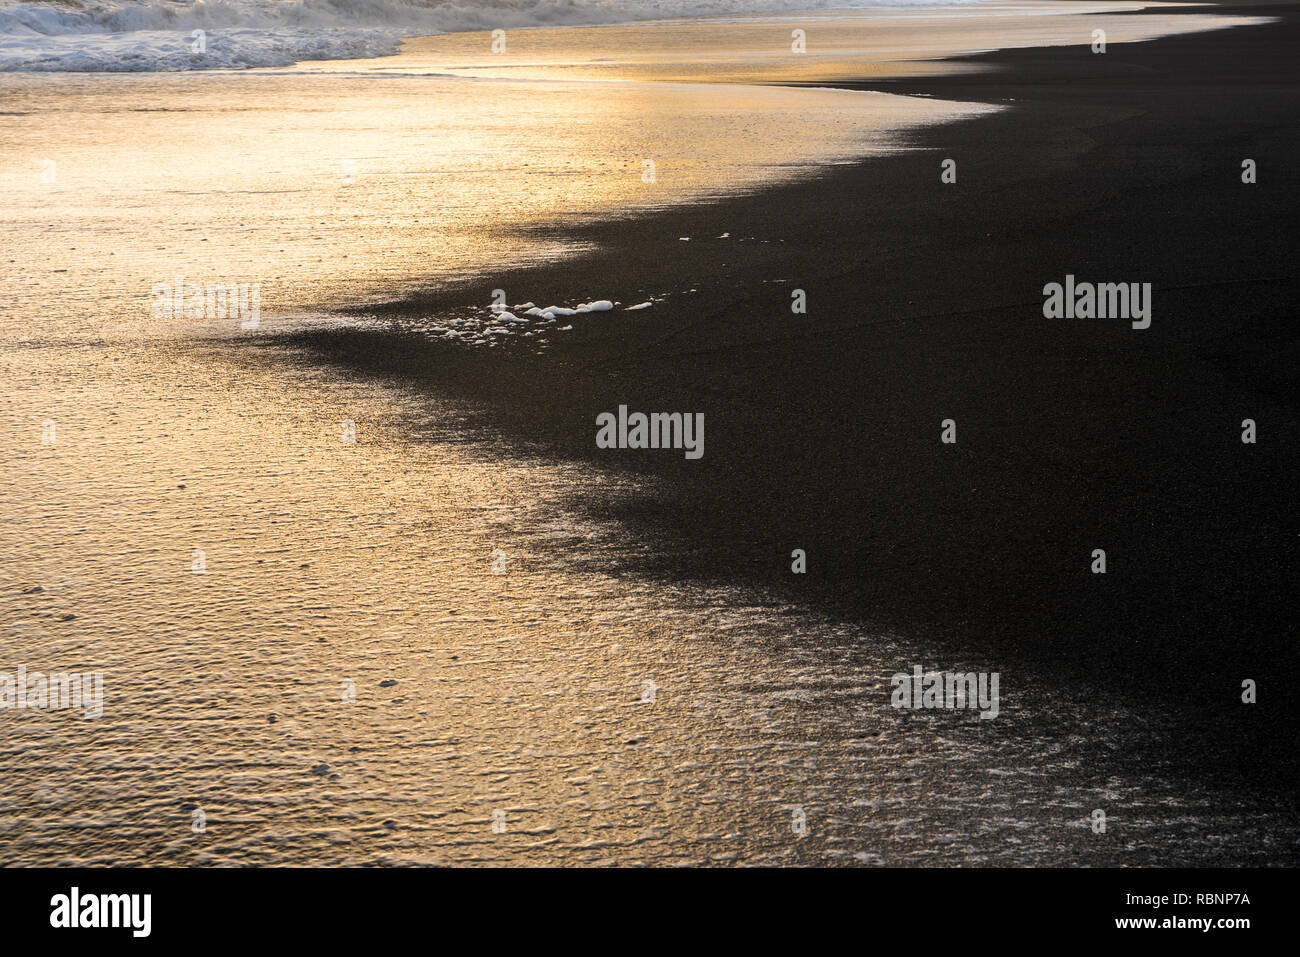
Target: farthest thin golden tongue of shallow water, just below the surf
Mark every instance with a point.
(834, 45)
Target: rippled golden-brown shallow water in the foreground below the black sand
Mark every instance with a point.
(525, 691)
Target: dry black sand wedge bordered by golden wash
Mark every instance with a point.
(925, 304)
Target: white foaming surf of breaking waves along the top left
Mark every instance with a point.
(157, 36)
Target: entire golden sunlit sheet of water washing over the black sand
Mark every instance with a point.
(349, 626)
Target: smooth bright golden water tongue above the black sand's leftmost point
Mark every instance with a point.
(344, 189)
